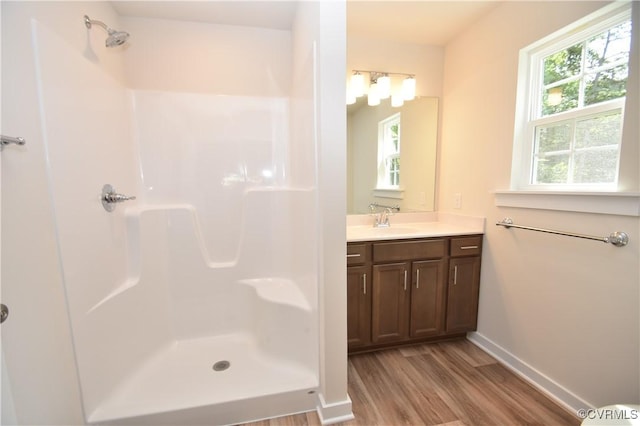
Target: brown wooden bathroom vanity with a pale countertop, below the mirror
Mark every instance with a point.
(417, 283)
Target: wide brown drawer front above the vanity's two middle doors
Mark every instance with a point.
(409, 250)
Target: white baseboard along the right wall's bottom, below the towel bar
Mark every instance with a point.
(545, 384)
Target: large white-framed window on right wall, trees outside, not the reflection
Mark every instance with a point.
(571, 96)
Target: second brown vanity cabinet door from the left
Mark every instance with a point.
(390, 303)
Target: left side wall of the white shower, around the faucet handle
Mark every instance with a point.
(87, 133)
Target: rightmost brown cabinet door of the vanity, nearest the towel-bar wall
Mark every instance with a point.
(462, 297)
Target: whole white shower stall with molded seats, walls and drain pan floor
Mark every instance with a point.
(197, 302)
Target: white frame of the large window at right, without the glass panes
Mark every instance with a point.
(528, 101)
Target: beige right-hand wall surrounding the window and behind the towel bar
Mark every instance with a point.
(562, 310)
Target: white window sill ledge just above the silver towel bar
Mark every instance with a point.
(614, 203)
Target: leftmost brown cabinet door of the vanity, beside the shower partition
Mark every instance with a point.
(358, 306)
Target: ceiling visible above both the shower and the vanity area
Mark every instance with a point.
(421, 22)
